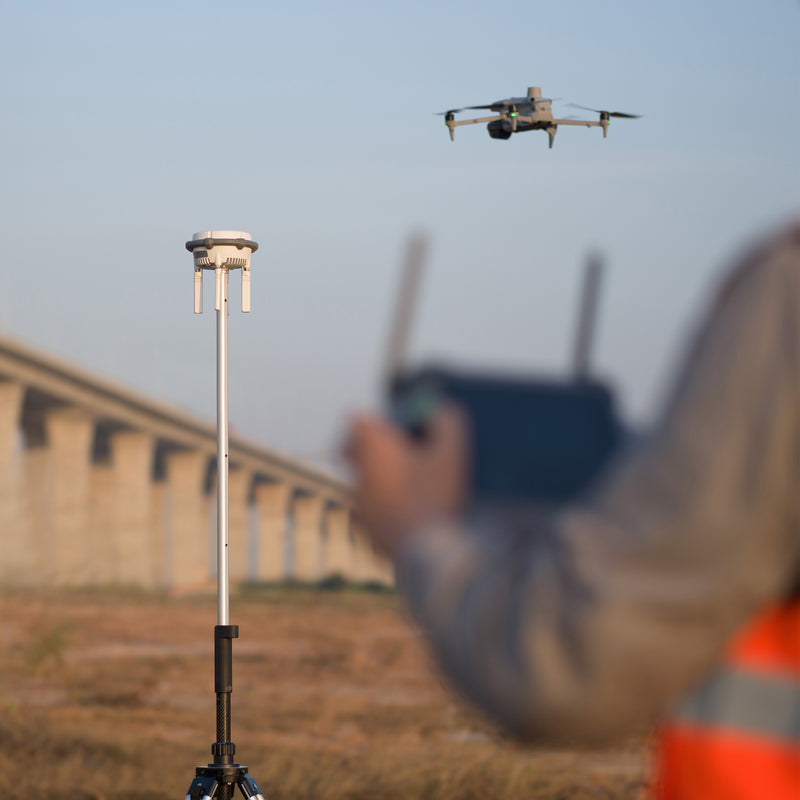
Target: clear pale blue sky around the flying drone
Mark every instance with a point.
(128, 127)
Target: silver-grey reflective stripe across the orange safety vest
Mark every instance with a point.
(738, 699)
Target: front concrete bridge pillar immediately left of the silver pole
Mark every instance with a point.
(186, 519)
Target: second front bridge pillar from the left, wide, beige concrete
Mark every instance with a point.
(70, 434)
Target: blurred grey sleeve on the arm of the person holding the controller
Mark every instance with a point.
(588, 625)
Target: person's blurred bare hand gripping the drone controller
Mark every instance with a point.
(402, 484)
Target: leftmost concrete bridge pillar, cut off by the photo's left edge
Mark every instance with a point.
(18, 565)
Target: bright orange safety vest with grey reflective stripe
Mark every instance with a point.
(738, 736)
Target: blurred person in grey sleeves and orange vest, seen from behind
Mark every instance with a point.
(667, 596)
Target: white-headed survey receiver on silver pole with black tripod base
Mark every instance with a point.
(222, 251)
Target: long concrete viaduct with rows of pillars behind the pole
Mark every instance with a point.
(100, 485)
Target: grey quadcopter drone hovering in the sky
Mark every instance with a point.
(531, 113)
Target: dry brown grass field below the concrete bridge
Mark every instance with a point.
(109, 696)
